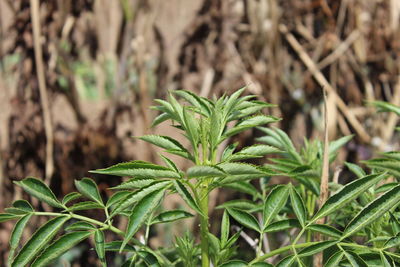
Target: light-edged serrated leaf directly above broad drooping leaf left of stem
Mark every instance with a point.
(136, 196)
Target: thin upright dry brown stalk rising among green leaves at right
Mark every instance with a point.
(324, 190)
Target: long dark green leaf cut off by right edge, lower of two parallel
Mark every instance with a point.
(373, 211)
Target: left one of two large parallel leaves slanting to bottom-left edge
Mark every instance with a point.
(38, 240)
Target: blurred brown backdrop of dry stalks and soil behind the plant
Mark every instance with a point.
(102, 63)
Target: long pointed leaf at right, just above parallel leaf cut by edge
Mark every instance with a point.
(348, 193)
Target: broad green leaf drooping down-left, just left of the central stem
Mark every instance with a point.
(140, 213)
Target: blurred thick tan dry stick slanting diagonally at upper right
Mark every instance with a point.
(320, 78)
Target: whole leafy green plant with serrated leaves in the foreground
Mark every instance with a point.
(361, 225)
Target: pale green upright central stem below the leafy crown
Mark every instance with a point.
(205, 259)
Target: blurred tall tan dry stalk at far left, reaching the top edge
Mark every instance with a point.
(42, 89)
